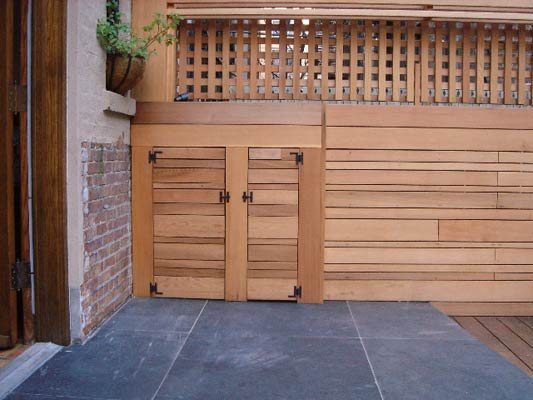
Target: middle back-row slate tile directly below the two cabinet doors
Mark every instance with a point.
(331, 319)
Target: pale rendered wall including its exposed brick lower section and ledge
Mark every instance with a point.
(98, 188)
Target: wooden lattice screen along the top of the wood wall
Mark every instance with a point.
(357, 60)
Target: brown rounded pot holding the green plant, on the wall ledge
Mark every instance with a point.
(123, 73)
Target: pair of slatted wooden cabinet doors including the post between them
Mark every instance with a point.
(229, 223)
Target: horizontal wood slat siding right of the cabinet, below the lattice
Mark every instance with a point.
(429, 204)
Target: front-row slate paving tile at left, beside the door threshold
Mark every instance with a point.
(114, 364)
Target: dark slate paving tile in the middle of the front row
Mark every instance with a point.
(260, 367)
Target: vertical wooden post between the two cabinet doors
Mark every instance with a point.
(236, 225)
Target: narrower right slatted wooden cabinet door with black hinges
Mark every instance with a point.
(273, 177)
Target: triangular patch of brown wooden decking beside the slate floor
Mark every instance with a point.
(511, 337)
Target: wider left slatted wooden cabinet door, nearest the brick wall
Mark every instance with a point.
(189, 203)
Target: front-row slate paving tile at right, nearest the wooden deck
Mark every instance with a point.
(445, 370)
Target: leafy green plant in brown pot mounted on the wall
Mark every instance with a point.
(127, 53)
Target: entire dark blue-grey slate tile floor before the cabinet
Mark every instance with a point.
(187, 349)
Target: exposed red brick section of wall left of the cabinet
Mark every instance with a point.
(106, 230)
